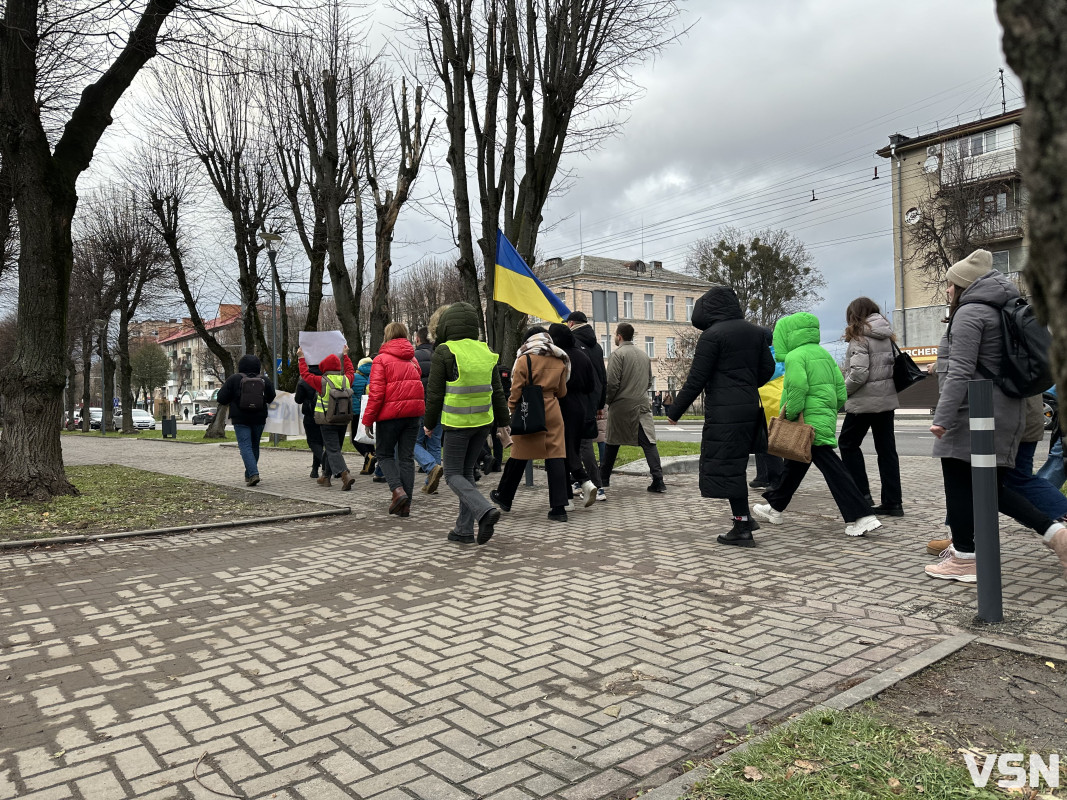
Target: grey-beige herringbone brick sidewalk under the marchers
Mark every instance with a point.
(370, 659)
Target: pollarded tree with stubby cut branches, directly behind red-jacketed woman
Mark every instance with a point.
(411, 145)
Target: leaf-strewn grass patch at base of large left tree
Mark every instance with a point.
(117, 499)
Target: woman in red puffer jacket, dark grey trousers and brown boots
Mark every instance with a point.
(395, 406)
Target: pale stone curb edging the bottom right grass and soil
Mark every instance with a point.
(677, 789)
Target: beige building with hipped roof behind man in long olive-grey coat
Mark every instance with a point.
(658, 302)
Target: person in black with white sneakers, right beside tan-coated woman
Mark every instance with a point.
(579, 408)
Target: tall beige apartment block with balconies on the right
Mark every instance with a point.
(955, 189)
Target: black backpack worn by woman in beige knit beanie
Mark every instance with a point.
(1025, 370)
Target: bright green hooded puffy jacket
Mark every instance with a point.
(815, 386)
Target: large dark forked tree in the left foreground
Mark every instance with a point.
(108, 42)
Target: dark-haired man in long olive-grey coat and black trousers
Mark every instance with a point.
(630, 418)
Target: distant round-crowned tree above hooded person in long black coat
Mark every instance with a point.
(771, 271)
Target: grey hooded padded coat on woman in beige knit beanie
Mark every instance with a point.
(975, 338)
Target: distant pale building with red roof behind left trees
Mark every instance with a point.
(196, 378)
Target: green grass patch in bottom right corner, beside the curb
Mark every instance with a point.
(835, 756)
